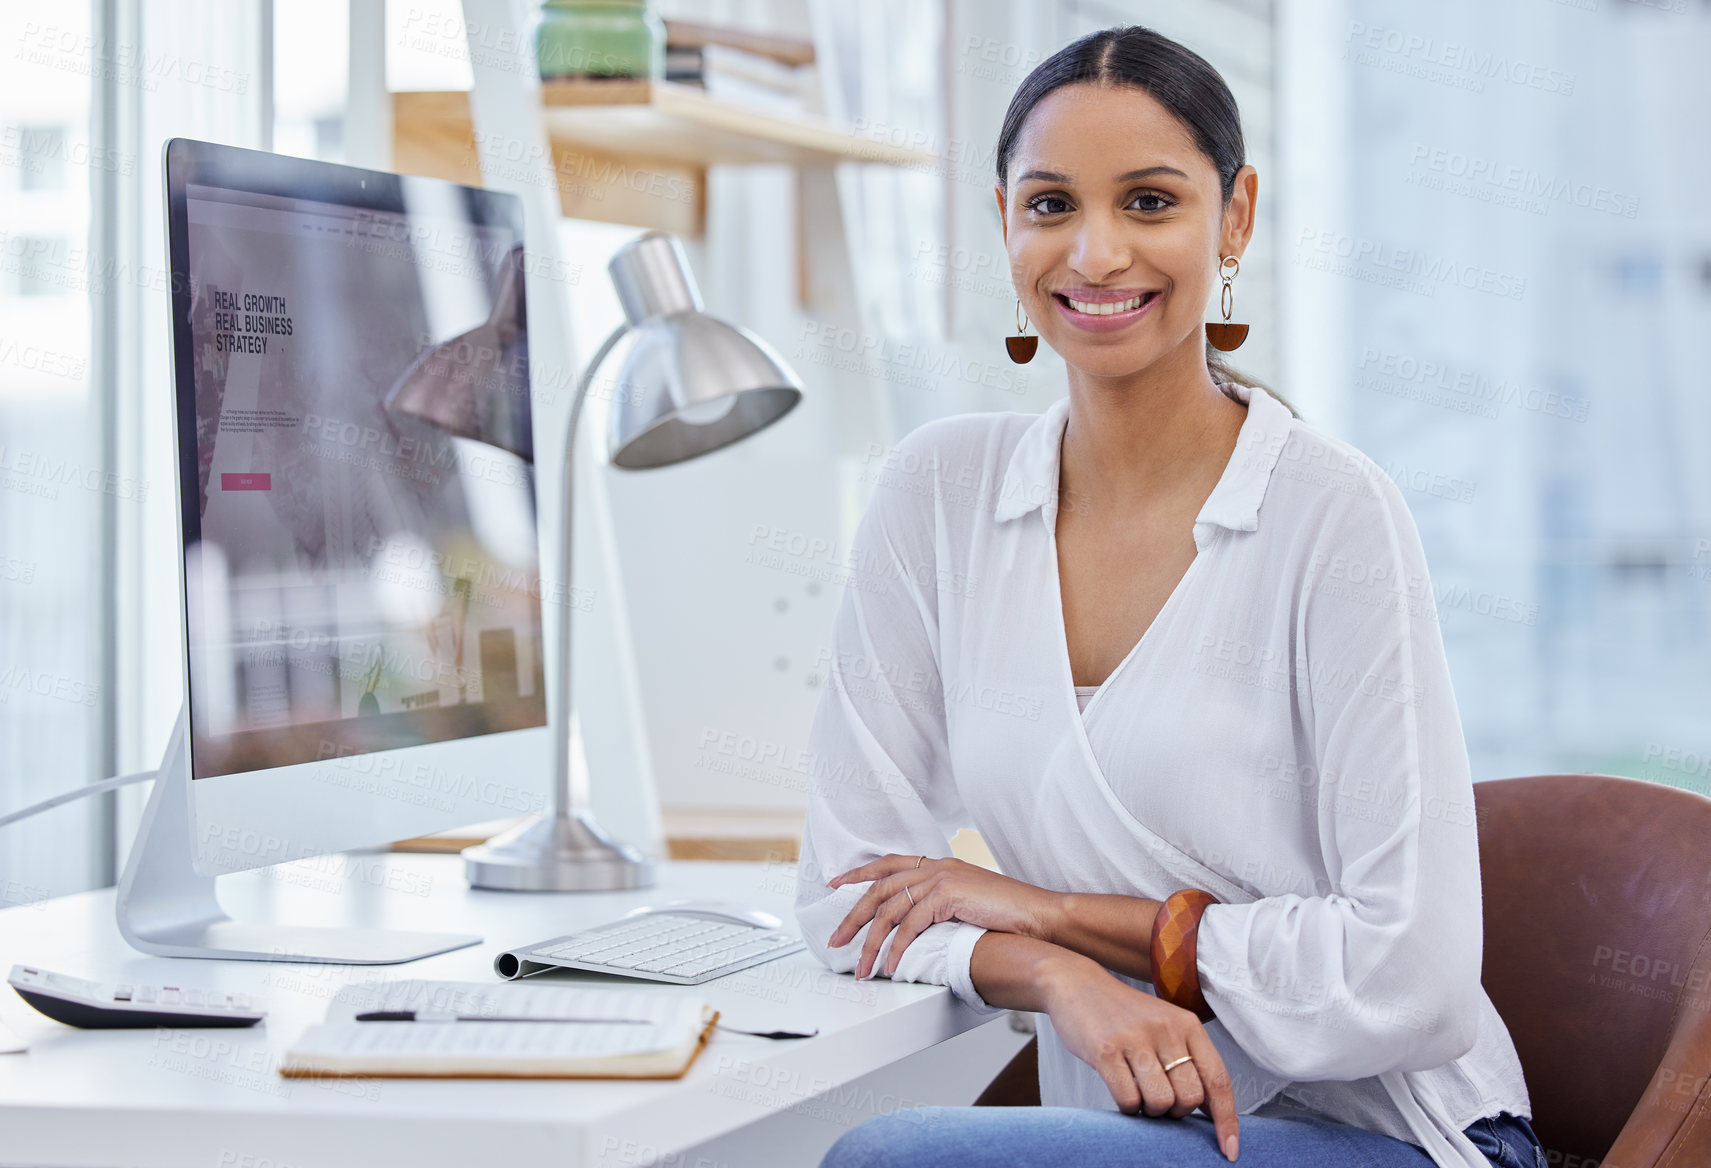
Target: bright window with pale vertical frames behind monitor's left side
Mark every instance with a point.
(90, 625)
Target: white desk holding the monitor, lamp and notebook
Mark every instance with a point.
(213, 1099)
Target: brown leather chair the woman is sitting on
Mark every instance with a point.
(1599, 960)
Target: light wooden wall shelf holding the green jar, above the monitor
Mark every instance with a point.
(634, 151)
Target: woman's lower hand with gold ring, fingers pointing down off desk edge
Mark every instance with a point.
(1128, 1037)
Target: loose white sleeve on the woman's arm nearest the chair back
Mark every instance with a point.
(1380, 969)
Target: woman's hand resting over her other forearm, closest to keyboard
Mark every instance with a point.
(937, 890)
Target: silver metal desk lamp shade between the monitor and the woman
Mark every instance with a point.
(690, 384)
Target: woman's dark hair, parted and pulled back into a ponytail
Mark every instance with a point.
(1176, 78)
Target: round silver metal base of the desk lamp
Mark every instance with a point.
(557, 854)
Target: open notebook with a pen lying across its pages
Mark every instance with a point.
(617, 1035)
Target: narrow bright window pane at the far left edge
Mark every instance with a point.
(54, 497)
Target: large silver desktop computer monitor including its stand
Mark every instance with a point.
(358, 529)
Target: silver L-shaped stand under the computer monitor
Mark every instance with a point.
(169, 909)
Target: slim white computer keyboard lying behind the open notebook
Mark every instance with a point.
(663, 947)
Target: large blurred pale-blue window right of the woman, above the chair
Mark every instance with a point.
(1517, 326)
